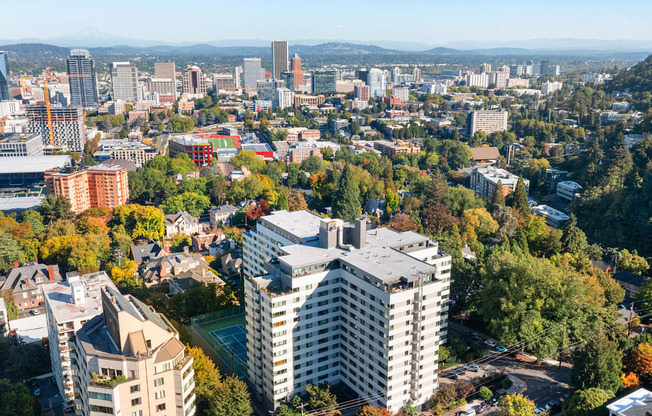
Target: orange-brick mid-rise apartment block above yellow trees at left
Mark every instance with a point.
(104, 186)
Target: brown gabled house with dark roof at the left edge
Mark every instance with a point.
(25, 280)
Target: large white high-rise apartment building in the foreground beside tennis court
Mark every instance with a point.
(333, 302)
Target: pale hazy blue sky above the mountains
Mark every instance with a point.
(426, 21)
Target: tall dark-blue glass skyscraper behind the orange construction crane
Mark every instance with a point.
(82, 80)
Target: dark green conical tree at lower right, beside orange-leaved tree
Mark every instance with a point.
(597, 365)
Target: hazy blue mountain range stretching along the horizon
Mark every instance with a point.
(28, 50)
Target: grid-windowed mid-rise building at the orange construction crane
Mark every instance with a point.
(67, 126)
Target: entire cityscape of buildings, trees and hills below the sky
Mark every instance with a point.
(337, 229)
